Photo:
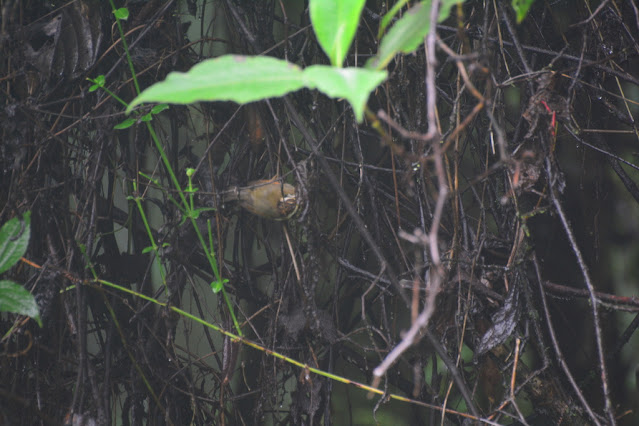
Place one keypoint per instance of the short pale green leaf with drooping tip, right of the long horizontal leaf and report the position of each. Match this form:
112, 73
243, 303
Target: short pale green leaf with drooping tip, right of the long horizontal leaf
353, 84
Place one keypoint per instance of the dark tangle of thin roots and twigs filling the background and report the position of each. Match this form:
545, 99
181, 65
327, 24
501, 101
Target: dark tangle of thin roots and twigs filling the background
558, 93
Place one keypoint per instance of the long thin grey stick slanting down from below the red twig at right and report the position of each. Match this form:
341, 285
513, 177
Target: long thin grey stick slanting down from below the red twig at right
594, 302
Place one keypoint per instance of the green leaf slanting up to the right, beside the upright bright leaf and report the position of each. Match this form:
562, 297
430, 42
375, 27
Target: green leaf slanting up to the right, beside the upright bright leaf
408, 33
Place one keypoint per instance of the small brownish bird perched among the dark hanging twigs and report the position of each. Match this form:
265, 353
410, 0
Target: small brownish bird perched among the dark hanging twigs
266, 198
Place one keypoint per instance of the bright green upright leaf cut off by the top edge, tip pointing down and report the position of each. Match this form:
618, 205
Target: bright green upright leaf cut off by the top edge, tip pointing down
335, 23
